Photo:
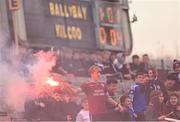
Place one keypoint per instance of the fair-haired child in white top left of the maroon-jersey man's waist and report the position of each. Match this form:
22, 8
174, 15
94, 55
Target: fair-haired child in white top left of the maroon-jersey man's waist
83, 115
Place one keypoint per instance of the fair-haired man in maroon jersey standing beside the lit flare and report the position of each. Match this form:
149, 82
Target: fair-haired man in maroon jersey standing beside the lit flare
96, 95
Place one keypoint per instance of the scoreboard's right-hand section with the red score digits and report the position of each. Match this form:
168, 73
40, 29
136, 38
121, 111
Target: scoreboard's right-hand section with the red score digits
109, 22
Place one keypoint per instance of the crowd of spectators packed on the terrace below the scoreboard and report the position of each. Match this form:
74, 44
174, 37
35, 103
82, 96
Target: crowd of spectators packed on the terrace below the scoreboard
148, 99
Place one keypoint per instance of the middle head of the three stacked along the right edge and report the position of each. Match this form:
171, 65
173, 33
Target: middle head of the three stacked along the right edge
170, 81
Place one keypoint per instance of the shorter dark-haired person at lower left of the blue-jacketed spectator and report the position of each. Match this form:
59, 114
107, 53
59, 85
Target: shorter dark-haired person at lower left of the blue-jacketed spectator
128, 113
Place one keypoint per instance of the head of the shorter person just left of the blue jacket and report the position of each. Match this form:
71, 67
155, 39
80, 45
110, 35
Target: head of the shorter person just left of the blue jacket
126, 101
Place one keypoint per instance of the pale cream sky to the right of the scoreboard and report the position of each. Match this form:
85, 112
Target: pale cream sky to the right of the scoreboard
157, 31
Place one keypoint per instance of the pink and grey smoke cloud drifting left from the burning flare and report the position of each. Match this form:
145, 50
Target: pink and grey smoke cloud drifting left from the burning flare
19, 72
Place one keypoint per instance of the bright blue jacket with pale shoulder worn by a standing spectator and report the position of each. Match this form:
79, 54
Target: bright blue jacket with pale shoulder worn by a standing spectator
137, 93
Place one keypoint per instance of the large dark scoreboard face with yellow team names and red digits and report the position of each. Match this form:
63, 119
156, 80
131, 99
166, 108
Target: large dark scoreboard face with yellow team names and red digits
88, 24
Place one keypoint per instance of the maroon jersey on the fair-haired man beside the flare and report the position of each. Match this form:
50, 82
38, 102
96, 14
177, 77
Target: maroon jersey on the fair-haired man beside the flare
96, 96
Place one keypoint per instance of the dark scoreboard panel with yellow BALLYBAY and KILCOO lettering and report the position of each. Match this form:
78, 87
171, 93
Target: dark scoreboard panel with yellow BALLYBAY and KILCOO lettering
60, 23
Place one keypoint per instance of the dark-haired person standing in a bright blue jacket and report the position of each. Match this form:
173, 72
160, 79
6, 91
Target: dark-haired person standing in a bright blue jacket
137, 93
